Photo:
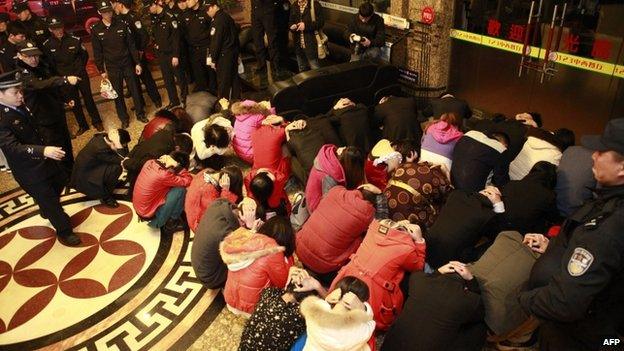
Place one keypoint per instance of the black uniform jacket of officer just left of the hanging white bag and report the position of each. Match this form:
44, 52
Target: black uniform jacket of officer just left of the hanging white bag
68, 55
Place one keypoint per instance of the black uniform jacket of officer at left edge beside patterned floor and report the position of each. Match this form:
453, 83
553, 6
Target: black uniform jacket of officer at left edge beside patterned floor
23, 147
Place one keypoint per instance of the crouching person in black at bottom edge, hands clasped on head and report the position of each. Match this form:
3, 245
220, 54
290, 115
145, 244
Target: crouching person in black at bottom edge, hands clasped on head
444, 311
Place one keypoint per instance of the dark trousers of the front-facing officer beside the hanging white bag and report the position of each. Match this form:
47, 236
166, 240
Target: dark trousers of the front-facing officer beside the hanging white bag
117, 75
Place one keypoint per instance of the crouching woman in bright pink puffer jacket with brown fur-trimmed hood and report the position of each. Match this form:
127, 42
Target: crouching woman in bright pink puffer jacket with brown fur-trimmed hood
249, 115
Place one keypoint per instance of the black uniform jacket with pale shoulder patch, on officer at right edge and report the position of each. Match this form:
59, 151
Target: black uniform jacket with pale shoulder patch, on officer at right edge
584, 270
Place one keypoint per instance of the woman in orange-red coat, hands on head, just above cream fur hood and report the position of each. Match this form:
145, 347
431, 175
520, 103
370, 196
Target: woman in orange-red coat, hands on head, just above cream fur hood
388, 251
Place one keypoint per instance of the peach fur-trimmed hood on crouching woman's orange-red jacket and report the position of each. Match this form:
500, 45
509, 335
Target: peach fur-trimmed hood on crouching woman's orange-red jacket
241, 248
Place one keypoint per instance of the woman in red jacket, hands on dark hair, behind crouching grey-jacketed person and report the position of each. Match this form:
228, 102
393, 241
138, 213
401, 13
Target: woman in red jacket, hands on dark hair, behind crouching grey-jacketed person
206, 187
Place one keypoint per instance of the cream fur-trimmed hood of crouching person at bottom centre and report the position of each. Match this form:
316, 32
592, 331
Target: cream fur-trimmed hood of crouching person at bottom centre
330, 330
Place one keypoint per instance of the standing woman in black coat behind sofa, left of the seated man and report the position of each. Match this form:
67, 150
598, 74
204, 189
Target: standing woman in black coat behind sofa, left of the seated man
303, 29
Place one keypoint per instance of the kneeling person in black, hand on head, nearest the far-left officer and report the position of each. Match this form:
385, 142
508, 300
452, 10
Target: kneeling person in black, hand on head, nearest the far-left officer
98, 165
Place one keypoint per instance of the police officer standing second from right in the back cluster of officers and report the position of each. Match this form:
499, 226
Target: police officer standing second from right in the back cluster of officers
196, 30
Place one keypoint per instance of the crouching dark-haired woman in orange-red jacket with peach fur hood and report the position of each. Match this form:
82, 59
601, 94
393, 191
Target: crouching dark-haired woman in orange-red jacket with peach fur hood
256, 261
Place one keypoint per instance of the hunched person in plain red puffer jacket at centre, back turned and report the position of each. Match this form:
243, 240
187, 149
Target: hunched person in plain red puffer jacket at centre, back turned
334, 231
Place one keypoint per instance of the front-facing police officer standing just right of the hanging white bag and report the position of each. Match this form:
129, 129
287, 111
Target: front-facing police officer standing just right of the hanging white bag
117, 58
